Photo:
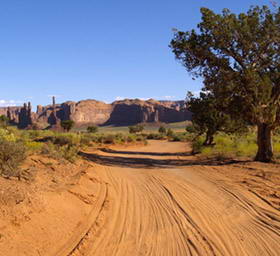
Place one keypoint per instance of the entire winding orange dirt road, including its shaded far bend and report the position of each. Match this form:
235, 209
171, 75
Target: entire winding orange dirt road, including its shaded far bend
157, 200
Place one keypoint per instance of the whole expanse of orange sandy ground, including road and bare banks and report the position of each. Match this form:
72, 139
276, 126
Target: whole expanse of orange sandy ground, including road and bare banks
143, 200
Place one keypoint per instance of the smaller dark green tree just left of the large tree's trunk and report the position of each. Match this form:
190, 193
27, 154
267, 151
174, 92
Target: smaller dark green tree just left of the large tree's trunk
209, 119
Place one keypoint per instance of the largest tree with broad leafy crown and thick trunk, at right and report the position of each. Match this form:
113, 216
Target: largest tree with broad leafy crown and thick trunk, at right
238, 57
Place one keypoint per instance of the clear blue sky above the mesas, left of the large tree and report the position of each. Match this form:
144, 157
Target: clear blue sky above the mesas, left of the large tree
102, 50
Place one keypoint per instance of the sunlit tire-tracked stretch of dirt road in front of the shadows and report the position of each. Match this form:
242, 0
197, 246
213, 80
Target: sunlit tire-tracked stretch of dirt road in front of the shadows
179, 212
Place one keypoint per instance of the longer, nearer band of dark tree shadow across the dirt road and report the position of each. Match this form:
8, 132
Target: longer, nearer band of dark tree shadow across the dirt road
149, 162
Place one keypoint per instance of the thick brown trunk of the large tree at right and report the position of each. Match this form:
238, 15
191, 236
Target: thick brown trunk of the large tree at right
265, 150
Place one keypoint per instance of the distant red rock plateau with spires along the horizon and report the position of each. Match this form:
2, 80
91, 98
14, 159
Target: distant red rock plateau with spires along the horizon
92, 112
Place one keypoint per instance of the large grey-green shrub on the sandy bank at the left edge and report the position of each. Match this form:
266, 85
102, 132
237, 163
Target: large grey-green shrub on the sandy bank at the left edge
12, 154
